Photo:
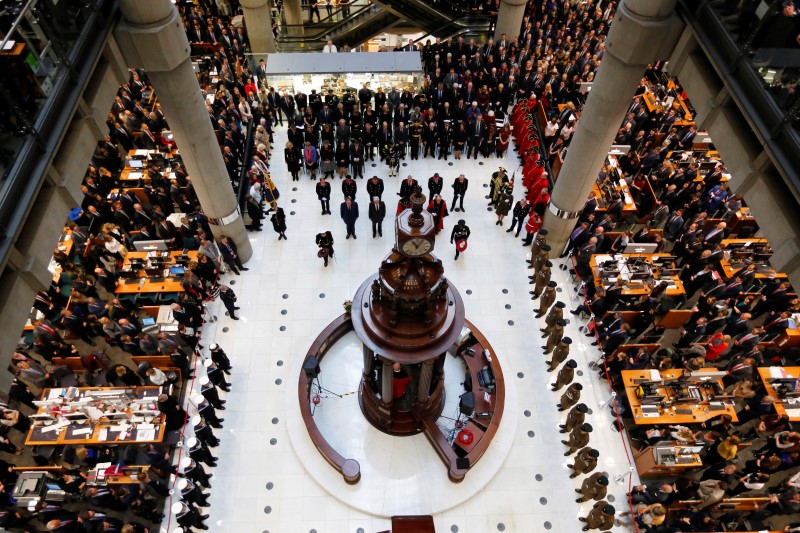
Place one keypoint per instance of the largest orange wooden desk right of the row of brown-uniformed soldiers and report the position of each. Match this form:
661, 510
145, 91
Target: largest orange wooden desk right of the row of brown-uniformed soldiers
669, 415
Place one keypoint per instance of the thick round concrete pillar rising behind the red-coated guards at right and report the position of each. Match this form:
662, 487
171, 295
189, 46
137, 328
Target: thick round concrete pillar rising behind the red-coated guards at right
643, 31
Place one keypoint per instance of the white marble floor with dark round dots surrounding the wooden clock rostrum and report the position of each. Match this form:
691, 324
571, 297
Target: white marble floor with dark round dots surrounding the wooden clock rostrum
287, 297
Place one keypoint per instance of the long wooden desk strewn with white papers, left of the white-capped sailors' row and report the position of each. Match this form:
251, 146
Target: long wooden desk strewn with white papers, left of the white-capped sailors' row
66, 435
